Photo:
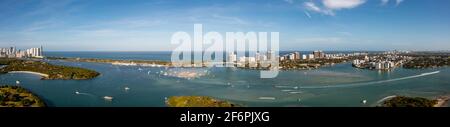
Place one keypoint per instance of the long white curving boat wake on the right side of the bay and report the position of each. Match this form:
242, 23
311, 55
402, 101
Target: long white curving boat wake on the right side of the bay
370, 83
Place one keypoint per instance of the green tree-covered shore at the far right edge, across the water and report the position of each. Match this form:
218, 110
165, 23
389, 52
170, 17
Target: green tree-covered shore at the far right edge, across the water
427, 62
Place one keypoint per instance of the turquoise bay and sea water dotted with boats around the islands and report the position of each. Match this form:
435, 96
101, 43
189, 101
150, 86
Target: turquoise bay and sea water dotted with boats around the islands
338, 85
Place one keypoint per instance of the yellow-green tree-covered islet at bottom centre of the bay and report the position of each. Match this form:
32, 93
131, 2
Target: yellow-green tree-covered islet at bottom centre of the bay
197, 101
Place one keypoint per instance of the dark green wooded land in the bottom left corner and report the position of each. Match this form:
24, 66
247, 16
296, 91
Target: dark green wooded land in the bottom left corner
16, 96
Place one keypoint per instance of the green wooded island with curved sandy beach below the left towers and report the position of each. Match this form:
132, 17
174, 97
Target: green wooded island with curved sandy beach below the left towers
46, 70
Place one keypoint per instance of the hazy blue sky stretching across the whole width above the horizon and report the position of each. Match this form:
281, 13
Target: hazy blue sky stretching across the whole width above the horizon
147, 25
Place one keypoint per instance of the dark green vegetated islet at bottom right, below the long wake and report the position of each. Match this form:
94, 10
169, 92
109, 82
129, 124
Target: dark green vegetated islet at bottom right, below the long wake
402, 101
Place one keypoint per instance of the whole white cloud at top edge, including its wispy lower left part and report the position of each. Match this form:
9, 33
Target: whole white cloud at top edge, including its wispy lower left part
329, 6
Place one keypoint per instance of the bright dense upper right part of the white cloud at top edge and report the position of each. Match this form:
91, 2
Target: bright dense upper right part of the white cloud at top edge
342, 4
